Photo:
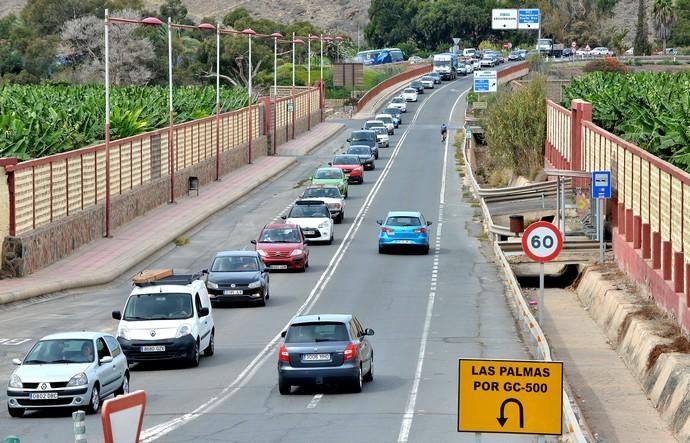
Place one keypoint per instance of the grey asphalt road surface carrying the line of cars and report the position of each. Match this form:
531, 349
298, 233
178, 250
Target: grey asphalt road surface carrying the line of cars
427, 311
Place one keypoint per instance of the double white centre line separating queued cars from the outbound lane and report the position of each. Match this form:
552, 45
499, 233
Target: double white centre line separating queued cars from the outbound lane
158, 431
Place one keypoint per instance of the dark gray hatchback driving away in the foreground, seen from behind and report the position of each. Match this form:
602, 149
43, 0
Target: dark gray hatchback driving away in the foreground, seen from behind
325, 349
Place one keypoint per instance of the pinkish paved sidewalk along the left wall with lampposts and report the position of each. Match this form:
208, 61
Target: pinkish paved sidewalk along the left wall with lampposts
103, 260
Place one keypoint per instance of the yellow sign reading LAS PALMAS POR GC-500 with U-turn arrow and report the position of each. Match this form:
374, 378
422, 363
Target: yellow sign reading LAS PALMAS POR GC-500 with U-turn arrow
510, 396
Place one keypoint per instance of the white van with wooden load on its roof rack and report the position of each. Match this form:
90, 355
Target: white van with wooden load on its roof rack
167, 316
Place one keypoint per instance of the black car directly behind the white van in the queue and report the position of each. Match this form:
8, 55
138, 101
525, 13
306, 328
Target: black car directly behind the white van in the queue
238, 276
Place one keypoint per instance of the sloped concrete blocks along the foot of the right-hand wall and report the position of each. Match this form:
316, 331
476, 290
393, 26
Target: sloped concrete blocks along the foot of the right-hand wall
667, 383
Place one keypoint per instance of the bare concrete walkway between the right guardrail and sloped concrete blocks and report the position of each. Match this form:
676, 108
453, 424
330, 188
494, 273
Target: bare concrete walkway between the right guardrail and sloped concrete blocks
609, 396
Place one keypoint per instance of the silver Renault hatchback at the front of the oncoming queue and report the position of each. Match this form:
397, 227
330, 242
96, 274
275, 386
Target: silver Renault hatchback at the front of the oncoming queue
70, 369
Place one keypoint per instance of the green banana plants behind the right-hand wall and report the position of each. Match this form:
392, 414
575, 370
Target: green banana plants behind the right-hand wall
651, 110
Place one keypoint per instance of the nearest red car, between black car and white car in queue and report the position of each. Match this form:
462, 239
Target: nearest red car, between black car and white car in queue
282, 246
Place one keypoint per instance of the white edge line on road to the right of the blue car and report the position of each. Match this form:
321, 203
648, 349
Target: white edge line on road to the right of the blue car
408, 417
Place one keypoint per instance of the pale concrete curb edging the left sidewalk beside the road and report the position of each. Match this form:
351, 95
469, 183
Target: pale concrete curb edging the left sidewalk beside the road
121, 266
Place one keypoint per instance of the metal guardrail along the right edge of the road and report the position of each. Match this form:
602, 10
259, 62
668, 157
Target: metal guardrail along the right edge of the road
543, 350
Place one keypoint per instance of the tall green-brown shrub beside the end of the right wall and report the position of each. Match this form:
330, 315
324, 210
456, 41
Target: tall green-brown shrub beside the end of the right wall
515, 125
